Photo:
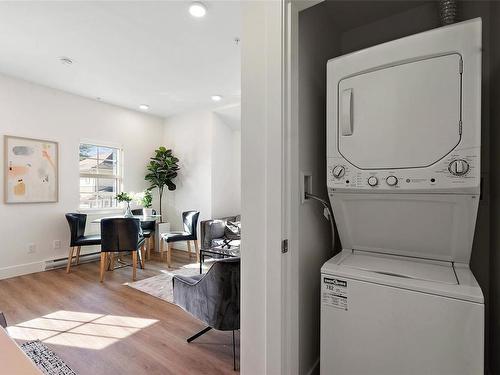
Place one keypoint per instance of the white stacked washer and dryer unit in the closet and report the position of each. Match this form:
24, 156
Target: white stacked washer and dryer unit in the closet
403, 143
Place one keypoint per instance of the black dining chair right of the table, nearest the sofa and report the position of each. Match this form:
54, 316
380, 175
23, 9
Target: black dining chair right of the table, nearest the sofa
190, 222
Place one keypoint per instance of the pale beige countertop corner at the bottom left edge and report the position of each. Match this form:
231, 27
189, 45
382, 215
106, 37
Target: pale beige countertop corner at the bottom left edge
12, 358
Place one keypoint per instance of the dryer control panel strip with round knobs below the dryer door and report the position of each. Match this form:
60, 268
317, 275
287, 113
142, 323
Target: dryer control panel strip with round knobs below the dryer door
460, 169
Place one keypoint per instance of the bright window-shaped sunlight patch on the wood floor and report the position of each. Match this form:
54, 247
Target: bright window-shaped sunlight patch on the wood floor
79, 329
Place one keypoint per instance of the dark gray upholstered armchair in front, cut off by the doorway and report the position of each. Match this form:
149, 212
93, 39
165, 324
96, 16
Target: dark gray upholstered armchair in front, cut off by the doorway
213, 298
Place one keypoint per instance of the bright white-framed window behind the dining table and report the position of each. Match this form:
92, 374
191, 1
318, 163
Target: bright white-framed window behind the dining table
100, 176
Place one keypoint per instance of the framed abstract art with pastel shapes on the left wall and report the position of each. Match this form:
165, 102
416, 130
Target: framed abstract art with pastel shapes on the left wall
31, 170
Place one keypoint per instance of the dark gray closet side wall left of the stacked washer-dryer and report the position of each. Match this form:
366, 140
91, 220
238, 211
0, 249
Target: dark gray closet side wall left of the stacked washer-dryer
314, 231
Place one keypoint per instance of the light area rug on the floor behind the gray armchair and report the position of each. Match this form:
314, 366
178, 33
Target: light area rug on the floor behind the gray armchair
160, 286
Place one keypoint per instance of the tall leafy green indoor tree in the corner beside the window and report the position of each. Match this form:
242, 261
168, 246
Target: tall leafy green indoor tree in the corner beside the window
162, 170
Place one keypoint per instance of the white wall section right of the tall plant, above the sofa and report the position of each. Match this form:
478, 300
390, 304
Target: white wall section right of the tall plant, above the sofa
209, 176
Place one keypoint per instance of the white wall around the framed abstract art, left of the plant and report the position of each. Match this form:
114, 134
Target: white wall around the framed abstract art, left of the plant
35, 111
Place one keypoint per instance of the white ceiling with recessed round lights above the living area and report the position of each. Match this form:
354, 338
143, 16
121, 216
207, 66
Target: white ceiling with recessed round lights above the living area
126, 52
